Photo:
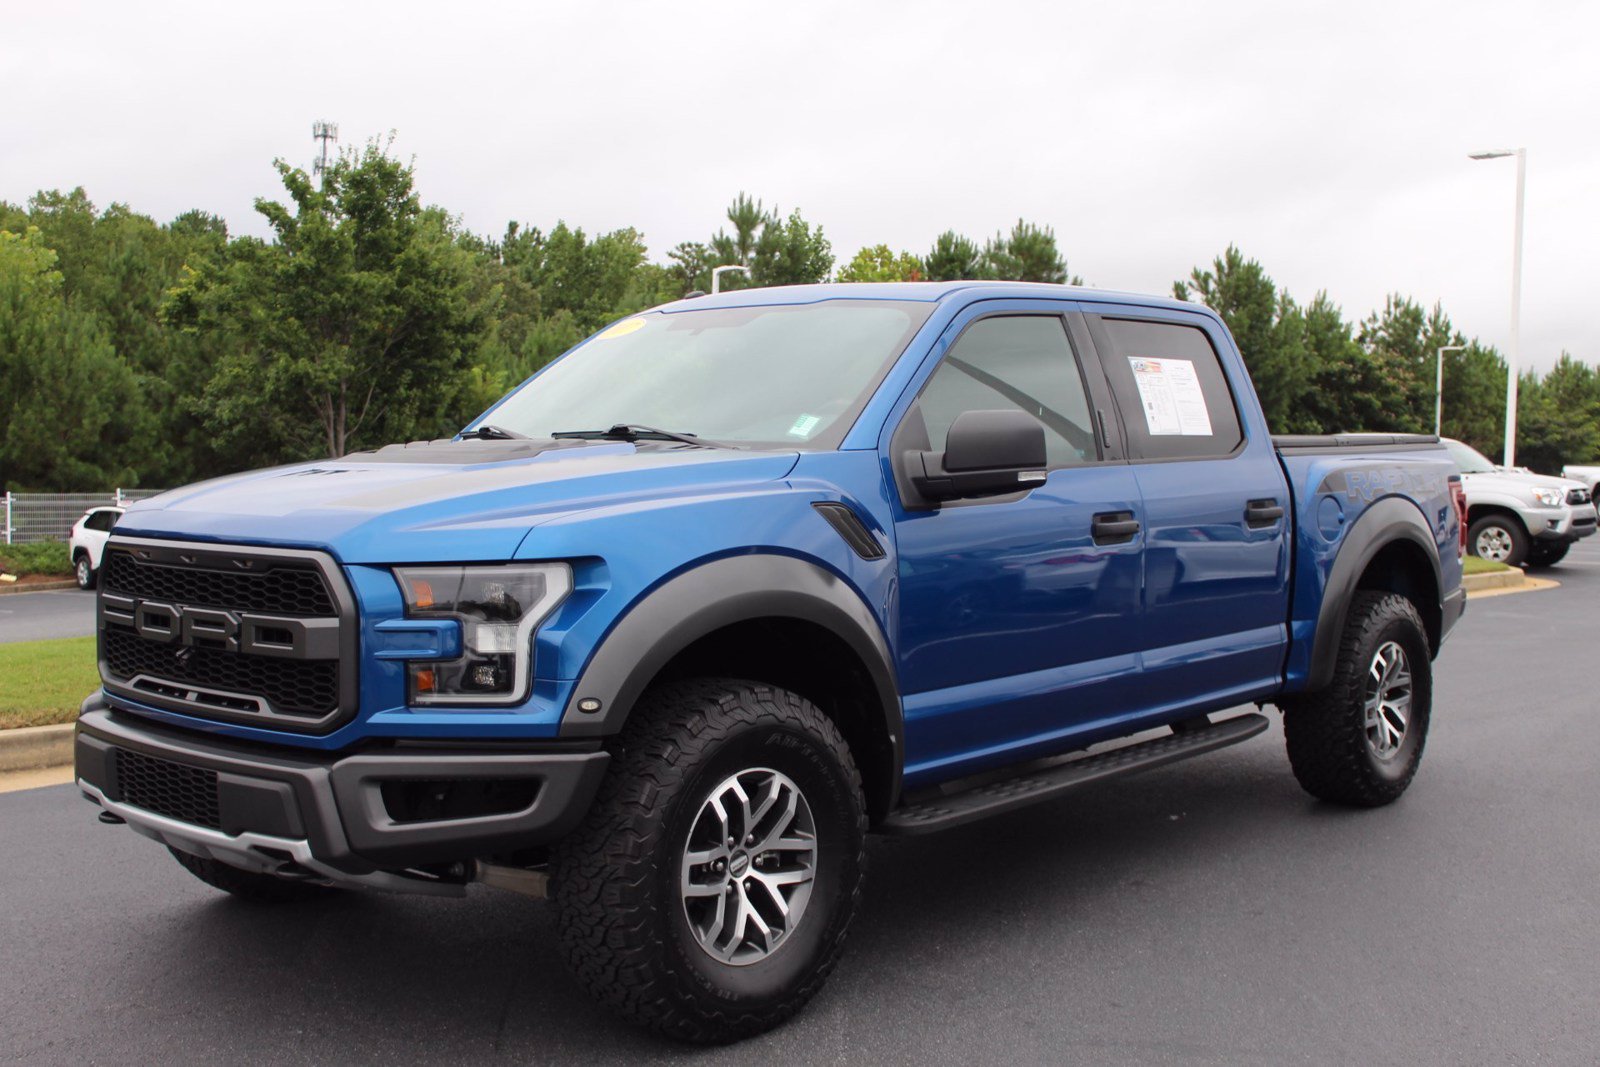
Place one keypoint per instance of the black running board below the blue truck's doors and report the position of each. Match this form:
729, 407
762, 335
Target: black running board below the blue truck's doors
1010, 794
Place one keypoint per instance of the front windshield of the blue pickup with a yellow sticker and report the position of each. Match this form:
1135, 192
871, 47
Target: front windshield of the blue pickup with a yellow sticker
791, 377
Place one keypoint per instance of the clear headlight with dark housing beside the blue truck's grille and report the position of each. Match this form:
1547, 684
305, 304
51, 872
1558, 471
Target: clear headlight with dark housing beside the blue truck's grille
498, 609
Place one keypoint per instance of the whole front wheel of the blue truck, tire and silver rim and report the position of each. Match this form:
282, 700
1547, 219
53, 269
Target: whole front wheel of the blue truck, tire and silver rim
710, 889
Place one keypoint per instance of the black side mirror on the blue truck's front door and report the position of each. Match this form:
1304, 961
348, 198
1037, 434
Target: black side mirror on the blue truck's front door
986, 454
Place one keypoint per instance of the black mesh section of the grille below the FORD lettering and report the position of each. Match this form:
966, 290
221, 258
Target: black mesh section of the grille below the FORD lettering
292, 687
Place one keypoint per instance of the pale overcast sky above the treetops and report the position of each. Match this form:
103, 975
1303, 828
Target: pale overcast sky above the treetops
1327, 140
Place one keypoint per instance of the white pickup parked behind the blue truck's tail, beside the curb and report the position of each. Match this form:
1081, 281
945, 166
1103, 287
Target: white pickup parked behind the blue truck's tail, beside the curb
1518, 518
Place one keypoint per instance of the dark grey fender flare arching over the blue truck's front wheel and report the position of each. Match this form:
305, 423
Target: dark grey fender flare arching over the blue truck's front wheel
718, 594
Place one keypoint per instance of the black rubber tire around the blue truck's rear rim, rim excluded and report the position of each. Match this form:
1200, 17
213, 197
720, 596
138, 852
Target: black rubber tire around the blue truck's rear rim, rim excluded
1326, 732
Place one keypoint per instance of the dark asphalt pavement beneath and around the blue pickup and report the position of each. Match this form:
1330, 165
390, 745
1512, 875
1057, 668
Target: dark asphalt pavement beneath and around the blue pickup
1209, 913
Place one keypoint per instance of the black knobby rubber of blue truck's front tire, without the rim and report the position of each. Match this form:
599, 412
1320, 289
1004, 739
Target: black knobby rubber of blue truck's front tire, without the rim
617, 879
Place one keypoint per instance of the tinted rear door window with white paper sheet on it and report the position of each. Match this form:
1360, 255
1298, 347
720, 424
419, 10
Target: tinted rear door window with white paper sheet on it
1172, 391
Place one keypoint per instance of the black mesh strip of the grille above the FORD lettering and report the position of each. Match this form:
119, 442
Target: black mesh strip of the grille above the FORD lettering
274, 589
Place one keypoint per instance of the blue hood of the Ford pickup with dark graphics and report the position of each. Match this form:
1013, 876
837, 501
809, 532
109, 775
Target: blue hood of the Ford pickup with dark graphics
441, 502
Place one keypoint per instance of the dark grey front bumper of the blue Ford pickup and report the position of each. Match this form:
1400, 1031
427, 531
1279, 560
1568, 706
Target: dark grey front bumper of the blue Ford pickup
330, 818
